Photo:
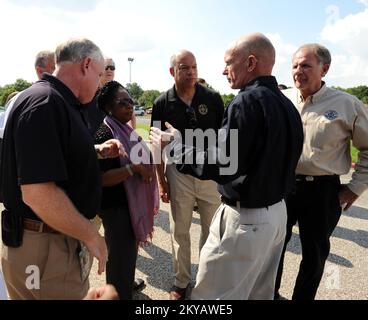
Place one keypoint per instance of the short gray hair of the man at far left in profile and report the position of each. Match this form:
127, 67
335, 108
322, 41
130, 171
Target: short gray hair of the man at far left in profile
76, 50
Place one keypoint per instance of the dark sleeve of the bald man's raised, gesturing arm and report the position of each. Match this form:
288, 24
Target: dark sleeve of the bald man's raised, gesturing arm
237, 149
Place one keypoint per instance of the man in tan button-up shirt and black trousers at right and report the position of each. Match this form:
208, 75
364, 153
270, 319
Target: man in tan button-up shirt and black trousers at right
331, 119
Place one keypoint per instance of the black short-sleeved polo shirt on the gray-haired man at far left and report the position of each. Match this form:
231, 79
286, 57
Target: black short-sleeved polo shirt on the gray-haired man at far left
46, 140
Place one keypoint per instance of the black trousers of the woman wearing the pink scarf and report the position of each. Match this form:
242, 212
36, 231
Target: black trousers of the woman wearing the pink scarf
122, 248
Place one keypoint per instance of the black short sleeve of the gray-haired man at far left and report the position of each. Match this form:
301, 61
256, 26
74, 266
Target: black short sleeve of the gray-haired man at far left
40, 138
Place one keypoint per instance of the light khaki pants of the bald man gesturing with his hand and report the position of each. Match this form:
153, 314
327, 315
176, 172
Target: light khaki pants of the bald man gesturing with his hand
240, 258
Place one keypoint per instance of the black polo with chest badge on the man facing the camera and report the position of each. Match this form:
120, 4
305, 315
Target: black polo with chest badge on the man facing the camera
207, 106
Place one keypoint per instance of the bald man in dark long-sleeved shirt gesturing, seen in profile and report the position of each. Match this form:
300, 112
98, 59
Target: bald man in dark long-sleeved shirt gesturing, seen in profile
240, 258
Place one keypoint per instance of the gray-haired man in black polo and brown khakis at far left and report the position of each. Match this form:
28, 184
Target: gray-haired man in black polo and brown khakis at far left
50, 181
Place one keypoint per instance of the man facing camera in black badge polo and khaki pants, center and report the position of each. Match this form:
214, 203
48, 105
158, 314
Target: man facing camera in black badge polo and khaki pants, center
188, 106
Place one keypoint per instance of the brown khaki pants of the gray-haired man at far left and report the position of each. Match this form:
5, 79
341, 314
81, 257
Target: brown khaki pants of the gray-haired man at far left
55, 257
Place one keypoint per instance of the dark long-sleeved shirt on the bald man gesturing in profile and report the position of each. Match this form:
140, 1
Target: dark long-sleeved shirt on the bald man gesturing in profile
269, 144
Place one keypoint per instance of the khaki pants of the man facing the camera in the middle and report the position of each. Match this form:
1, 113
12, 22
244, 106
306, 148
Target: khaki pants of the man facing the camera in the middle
185, 190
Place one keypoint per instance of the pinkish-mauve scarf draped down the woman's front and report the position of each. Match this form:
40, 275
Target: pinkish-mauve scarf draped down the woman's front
143, 198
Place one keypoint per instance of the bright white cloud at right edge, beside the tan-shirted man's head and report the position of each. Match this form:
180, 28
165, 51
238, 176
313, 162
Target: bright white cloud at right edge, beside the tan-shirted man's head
347, 37
